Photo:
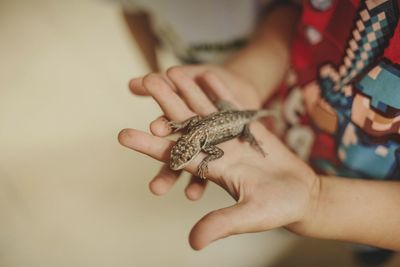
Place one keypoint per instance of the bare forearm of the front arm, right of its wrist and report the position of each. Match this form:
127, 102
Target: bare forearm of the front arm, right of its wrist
360, 211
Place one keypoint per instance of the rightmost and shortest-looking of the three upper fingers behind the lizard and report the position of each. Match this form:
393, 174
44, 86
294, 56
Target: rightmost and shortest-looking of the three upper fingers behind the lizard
215, 86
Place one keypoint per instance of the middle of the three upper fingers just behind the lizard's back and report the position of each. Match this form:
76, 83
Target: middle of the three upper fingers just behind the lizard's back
190, 91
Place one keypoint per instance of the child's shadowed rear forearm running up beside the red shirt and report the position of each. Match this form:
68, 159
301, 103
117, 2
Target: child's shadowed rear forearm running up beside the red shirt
265, 60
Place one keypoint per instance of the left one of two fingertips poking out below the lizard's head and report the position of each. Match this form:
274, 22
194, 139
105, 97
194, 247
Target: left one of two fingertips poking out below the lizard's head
164, 180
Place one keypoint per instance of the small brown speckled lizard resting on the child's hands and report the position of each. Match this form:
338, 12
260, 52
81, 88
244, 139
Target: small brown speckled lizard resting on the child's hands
204, 133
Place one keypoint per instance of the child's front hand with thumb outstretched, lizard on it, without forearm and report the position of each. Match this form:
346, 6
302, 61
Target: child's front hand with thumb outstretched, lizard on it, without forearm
278, 190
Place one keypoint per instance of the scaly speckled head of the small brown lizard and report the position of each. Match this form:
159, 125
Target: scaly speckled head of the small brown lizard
182, 153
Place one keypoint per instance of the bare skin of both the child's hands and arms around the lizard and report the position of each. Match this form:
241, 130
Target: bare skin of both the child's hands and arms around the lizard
270, 193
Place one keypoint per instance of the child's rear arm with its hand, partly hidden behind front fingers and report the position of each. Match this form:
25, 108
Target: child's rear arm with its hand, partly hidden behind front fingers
256, 71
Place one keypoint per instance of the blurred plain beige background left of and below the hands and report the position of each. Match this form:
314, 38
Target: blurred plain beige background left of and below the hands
70, 195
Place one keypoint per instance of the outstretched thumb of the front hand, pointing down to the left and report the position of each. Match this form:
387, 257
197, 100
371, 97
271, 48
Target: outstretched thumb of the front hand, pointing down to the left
221, 223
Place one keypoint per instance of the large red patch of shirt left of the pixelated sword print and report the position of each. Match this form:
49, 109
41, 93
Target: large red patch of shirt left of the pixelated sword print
306, 57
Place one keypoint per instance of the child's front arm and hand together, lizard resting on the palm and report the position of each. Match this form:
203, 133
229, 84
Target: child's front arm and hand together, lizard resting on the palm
279, 190
